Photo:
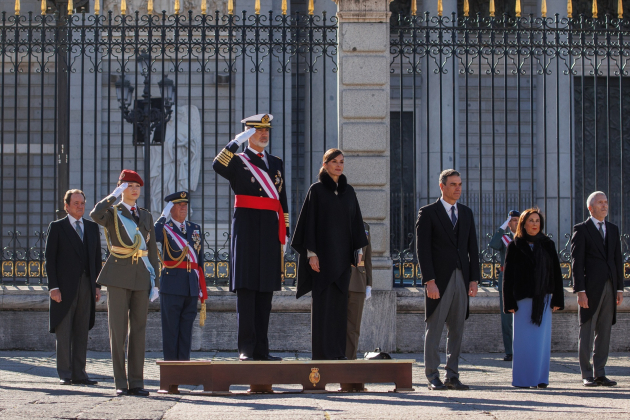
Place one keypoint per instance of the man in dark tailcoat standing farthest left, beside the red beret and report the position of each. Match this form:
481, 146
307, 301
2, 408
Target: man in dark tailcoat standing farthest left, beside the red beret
73, 262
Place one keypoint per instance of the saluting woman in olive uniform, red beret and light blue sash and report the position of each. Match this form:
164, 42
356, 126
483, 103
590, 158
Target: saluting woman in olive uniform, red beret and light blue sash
130, 277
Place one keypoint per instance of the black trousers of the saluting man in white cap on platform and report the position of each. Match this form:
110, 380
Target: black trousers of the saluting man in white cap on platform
252, 312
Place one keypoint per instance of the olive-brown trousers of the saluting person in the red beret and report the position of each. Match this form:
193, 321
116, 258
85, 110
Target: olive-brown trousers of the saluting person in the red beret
127, 315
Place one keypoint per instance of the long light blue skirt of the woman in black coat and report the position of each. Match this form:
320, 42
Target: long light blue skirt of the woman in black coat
532, 346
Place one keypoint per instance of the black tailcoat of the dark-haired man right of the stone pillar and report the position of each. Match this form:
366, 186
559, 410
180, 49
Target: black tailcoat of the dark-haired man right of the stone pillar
438, 248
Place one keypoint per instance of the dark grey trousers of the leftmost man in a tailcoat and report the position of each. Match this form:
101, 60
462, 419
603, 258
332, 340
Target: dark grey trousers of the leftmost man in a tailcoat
72, 333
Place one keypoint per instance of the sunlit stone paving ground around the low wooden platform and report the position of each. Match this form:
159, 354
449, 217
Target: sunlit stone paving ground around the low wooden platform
29, 390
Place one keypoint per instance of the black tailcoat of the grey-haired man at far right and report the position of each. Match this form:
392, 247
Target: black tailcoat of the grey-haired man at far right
593, 265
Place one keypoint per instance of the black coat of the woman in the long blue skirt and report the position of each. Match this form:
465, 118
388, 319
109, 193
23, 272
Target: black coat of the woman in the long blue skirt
519, 274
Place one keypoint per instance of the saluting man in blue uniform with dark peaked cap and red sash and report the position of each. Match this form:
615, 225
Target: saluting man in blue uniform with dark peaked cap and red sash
182, 280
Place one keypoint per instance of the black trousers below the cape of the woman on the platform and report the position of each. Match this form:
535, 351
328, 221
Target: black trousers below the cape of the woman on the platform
329, 313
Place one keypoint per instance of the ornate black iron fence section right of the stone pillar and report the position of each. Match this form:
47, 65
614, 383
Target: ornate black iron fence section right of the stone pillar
529, 109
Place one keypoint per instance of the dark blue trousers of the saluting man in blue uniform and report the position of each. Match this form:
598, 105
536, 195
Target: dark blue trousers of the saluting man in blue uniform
178, 316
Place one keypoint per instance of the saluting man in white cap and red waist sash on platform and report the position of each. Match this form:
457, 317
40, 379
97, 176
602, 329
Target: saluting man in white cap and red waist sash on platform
259, 229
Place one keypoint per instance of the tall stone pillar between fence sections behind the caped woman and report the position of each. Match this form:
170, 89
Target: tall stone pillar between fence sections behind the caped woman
363, 116
